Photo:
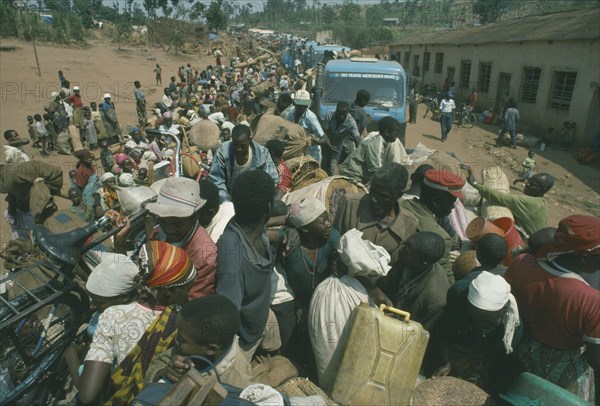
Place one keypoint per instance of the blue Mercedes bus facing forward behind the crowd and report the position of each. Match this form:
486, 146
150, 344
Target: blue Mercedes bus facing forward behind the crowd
341, 79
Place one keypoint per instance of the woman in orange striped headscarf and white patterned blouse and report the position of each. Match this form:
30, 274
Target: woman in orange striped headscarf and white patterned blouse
128, 336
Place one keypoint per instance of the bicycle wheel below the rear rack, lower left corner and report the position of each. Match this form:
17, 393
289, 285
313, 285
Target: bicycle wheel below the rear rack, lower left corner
31, 346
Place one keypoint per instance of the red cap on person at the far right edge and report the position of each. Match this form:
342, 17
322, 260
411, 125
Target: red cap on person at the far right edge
577, 234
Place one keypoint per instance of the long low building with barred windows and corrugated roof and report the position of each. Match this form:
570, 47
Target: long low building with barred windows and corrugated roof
549, 64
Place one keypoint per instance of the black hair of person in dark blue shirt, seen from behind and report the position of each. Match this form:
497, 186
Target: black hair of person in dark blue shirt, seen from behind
252, 195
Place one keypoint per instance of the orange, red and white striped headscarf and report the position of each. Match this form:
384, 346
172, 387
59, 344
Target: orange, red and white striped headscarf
164, 265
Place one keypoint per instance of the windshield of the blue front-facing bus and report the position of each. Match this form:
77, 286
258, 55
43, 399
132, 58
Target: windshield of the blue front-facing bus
386, 89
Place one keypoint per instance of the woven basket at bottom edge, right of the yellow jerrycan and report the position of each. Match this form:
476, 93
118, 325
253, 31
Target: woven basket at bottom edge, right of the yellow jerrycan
449, 391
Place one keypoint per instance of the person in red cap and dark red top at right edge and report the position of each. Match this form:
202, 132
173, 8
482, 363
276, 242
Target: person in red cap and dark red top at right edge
561, 309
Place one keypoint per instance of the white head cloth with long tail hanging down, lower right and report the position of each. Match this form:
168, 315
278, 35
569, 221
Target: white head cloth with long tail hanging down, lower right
491, 292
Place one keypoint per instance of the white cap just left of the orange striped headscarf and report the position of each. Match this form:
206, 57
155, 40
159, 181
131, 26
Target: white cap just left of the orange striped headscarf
114, 276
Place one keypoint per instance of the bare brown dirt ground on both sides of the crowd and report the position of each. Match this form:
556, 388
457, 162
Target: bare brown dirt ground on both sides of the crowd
102, 68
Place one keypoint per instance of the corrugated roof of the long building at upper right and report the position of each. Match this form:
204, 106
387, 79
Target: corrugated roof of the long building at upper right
571, 25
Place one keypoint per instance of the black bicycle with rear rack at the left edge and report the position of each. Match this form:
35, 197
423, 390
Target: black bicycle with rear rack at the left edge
37, 325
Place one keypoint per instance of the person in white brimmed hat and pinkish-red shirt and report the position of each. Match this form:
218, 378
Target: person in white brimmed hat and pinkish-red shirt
178, 211
